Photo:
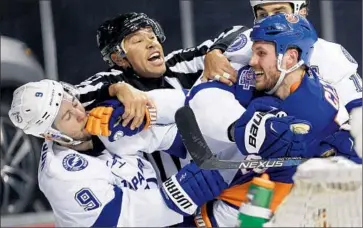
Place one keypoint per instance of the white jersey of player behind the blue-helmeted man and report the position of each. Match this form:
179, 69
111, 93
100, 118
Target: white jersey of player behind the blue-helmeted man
330, 60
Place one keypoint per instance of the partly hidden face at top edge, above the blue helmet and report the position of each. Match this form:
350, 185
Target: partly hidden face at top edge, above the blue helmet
269, 9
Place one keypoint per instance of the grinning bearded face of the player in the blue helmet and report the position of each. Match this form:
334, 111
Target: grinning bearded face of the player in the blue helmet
264, 63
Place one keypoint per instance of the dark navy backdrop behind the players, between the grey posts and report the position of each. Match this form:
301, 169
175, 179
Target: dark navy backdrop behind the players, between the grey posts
75, 23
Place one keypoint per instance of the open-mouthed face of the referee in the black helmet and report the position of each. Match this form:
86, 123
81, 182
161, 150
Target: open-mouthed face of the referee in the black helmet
145, 53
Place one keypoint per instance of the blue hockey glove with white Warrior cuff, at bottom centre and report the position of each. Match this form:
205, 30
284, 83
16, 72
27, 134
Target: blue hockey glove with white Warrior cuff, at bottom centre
190, 188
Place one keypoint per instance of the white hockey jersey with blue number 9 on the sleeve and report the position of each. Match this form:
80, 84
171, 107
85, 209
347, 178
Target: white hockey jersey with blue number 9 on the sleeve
118, 188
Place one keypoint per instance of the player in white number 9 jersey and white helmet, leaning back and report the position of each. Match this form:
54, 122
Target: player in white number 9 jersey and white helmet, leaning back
117, 189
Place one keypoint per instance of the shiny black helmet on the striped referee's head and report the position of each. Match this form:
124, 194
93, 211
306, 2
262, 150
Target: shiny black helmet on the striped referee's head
111, 32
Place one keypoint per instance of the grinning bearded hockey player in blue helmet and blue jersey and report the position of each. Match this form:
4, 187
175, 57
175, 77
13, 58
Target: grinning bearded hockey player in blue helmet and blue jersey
280, 59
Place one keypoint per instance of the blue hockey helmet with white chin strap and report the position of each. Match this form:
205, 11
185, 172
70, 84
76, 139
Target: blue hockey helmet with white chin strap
286, 31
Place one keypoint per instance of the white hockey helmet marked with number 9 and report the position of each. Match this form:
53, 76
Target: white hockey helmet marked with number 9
34, 108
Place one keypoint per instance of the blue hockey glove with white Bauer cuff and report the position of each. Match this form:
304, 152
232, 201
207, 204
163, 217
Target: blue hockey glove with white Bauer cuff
260, 132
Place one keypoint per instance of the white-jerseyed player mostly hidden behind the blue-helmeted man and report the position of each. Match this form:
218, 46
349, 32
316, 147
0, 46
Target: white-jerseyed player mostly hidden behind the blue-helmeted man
344, 79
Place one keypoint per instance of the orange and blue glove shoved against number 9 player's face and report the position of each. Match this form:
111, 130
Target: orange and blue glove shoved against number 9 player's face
105, 120
